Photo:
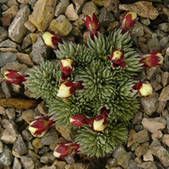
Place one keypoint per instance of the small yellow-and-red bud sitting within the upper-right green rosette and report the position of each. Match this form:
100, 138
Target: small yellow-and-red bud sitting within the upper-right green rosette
117, 57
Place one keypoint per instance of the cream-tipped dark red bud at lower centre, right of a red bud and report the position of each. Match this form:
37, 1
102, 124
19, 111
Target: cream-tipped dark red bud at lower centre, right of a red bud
100, 122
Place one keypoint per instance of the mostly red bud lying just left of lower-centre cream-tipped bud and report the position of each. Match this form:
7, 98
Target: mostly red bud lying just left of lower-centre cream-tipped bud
78, 120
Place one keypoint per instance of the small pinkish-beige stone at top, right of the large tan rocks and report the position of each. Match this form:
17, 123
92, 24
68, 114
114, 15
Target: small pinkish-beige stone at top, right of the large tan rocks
71, 13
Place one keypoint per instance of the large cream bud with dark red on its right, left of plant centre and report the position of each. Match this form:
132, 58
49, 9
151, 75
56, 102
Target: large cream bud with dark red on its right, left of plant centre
66, 89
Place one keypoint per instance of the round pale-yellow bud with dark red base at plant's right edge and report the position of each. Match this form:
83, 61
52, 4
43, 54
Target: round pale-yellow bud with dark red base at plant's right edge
144, 88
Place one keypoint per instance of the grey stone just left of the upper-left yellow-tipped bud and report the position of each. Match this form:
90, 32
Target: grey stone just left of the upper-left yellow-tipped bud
39, 51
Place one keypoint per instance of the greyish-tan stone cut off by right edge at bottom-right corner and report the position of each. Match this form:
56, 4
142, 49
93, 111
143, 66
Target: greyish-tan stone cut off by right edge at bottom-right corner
162, 154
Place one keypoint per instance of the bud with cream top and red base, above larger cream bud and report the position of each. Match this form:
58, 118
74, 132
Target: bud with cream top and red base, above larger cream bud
66, 66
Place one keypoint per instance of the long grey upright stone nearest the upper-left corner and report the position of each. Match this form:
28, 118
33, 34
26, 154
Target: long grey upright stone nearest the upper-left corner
17, 29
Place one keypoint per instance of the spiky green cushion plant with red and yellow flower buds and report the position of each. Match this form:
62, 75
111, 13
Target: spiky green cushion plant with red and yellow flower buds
91, 88
